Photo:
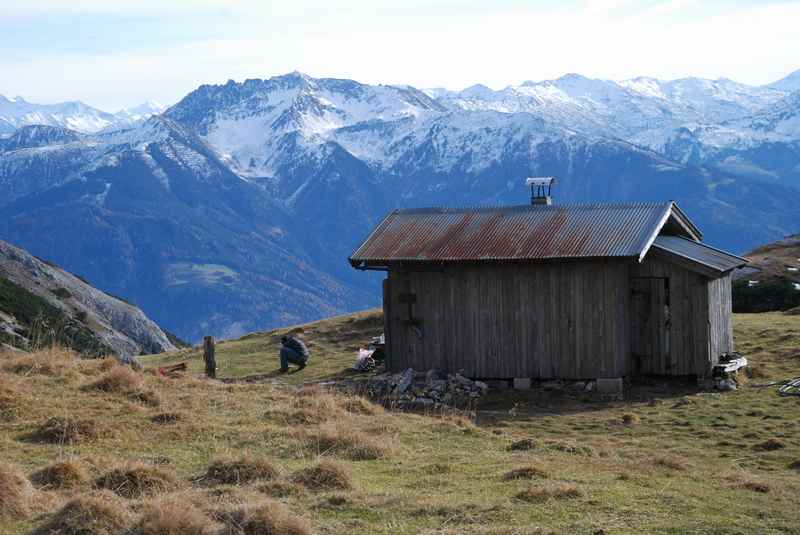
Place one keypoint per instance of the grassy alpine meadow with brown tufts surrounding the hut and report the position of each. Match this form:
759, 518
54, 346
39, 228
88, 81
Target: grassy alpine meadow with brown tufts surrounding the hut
204, 455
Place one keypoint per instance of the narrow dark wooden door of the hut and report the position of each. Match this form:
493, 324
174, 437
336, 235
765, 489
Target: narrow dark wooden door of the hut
650, 326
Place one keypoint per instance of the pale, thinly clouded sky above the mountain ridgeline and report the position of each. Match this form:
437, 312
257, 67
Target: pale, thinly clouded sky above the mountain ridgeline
112, 53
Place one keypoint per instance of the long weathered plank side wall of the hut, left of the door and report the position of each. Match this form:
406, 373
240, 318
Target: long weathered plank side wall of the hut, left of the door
545, 320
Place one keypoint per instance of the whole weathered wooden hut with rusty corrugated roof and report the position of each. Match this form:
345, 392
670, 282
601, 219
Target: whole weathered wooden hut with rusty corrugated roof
551, 292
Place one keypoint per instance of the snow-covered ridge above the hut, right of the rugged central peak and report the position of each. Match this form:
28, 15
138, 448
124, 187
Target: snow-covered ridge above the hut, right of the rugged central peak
641, 110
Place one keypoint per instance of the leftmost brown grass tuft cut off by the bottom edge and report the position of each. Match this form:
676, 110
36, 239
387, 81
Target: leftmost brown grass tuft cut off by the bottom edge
95, 514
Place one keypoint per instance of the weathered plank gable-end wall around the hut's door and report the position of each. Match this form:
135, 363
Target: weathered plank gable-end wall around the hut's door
689, 326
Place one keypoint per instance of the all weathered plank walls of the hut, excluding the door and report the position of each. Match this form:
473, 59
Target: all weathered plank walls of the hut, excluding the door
547, 320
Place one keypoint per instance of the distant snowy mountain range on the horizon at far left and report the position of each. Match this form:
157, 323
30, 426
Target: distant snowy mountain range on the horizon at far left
75, 115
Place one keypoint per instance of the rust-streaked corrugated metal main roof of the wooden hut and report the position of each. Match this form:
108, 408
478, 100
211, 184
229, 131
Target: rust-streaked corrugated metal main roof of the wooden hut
515, 233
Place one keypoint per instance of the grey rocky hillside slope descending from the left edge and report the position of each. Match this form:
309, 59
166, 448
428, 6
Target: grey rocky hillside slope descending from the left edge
41, 303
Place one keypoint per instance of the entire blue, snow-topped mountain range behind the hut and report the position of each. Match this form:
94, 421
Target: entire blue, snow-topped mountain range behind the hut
235, 209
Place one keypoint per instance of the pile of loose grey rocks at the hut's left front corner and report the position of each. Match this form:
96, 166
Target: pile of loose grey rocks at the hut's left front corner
432, 388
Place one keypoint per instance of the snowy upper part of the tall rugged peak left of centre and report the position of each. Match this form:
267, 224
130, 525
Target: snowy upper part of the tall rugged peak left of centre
251, 123
